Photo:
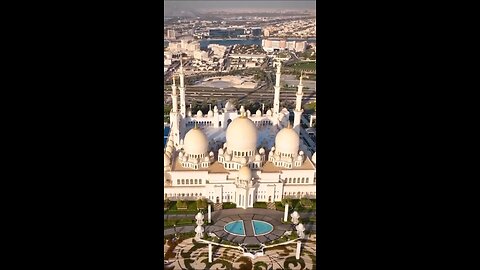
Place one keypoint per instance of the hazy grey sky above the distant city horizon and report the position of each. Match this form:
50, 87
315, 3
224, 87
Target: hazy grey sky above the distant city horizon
178, 5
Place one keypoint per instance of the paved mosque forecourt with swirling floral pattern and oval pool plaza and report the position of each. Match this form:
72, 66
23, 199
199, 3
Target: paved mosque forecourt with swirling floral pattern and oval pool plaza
189, 253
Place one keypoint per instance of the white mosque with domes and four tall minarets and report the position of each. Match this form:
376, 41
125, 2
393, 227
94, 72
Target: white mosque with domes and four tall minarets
236, 156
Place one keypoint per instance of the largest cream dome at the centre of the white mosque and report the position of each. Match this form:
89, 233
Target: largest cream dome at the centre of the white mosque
242, 135
